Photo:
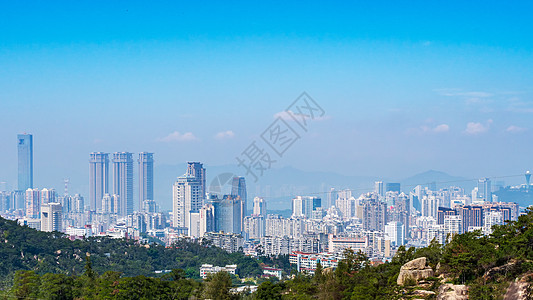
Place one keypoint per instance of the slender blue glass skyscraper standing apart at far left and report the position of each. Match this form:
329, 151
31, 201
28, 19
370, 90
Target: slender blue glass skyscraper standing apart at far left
25, 161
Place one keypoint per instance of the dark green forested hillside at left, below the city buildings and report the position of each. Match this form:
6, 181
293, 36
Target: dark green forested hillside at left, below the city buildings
23, 248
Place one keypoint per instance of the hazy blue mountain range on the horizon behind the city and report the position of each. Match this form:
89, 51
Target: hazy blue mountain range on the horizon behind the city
279, 186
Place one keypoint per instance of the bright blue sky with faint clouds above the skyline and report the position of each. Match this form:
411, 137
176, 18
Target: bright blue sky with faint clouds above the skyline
406, 87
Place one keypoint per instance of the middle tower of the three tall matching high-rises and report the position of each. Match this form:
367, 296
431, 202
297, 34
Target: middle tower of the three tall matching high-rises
123, 180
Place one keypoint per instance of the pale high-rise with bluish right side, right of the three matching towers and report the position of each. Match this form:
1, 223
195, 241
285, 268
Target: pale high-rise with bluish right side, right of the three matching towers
187, 197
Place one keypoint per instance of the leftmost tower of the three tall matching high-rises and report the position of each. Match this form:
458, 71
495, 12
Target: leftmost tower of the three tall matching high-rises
98, 179
